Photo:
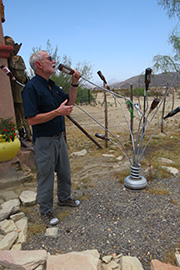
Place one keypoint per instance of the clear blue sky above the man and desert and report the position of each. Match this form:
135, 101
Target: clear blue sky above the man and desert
118, 37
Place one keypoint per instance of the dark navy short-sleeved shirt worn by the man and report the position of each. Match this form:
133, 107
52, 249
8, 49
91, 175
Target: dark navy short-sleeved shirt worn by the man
38, 98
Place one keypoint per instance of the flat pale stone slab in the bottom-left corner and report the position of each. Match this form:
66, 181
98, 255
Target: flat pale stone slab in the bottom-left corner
29, 259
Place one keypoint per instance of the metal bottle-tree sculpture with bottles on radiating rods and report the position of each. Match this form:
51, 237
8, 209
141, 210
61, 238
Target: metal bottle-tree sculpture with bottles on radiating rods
134, 180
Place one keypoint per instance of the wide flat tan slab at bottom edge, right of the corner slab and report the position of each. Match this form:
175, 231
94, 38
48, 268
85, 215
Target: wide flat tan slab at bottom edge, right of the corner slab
88, 260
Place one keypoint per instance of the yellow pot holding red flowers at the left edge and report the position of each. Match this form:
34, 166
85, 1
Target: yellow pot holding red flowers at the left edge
8, 150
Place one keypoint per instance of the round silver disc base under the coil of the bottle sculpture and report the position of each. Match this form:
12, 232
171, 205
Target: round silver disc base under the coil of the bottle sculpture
136, 184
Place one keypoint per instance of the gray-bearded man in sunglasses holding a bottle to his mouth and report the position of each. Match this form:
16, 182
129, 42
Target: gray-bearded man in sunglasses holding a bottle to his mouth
45, 104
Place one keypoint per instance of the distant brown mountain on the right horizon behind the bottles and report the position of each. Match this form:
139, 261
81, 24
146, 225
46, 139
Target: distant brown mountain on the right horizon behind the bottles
157, 80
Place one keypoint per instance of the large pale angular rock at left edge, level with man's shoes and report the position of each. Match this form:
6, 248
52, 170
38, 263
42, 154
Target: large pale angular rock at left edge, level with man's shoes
8, 208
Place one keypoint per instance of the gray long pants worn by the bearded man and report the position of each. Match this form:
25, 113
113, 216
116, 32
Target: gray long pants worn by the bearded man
51, 156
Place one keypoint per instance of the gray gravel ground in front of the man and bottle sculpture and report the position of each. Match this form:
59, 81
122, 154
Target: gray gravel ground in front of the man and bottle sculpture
113, 219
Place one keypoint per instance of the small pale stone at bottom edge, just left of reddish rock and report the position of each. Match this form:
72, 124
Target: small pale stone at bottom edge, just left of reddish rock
130, 263
